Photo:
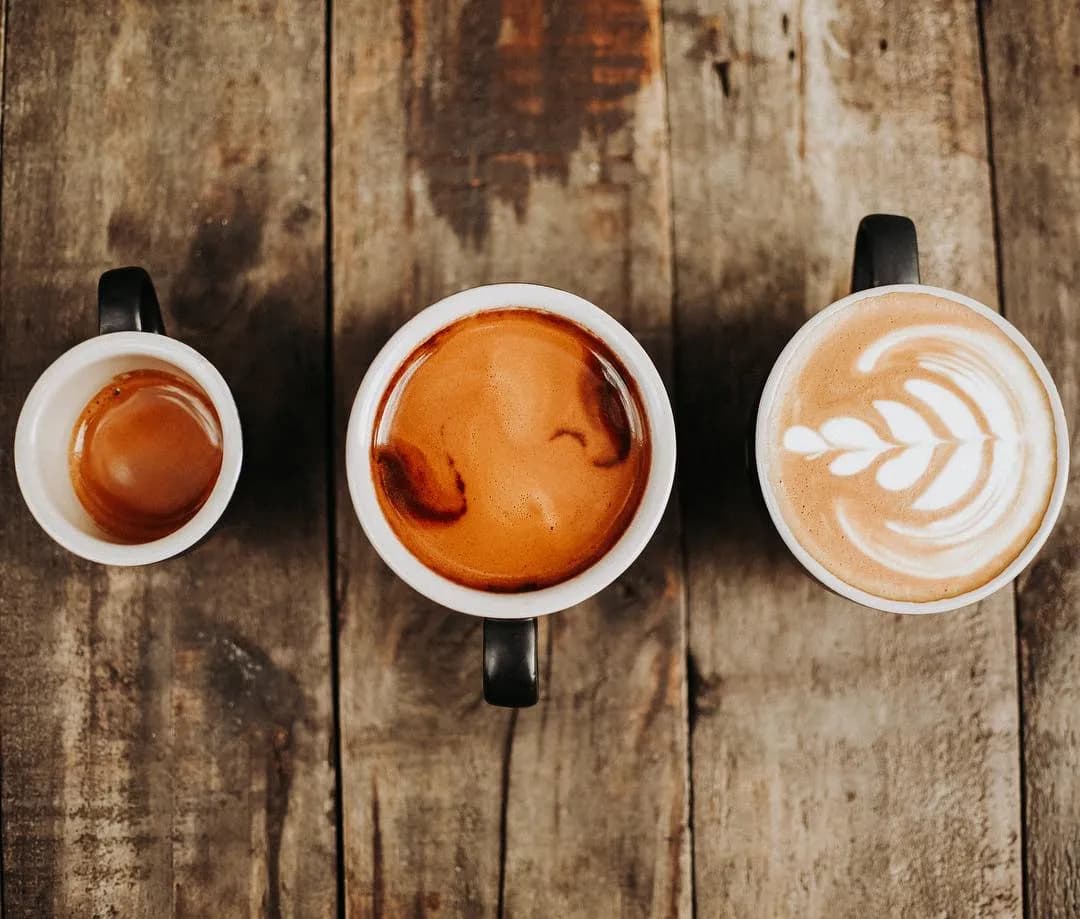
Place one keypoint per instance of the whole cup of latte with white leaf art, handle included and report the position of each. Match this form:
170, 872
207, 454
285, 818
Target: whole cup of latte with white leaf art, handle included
911, 445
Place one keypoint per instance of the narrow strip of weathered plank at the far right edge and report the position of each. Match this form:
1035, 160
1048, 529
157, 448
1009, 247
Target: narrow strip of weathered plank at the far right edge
1033, 61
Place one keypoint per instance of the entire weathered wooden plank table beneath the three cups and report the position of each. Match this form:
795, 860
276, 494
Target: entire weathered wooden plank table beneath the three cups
275, 725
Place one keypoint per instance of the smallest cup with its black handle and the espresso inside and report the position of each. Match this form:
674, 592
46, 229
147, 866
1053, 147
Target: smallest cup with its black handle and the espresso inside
130, 359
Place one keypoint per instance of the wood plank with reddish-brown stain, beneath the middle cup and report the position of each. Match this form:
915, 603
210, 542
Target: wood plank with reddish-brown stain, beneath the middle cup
479, 142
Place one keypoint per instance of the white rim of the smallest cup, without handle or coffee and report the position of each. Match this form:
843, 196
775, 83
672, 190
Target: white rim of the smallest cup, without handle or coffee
30, 476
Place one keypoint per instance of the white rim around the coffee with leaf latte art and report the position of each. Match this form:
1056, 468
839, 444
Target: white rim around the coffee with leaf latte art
819, 571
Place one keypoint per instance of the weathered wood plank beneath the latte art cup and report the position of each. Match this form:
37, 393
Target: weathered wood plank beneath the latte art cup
846, 763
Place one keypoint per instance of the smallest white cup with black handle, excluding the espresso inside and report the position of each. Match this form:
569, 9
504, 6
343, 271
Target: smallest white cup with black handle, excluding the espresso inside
132, 337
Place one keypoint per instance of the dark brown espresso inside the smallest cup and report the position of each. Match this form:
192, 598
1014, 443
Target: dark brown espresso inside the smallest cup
146, 453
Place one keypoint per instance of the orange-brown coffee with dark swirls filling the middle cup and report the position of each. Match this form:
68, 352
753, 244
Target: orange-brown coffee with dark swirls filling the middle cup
510, 451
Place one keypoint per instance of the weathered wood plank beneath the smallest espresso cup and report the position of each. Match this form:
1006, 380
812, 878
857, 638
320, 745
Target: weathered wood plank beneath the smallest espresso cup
168, 732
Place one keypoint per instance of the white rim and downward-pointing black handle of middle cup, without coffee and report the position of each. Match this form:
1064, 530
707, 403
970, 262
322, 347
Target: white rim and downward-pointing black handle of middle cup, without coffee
510, 627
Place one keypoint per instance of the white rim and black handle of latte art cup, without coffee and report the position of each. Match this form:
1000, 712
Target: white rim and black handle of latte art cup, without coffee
887, 261
